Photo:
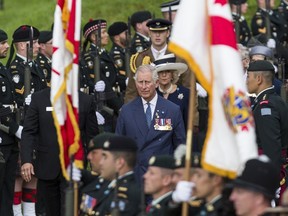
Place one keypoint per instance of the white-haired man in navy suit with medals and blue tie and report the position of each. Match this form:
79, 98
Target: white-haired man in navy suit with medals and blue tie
154, 122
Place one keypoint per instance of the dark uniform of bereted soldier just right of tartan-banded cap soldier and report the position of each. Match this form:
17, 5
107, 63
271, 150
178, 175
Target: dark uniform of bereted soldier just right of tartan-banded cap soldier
118, 55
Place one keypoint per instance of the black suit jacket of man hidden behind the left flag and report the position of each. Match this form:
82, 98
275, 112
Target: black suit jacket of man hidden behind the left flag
39, 124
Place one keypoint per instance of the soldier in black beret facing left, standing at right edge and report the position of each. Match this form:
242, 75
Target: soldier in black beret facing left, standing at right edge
271, 115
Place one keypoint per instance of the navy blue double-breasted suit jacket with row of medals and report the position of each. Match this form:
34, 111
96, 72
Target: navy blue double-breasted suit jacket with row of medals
132, 123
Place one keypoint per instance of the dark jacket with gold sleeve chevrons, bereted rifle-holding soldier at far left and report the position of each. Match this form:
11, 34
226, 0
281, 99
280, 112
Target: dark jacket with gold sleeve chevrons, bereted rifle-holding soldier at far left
17, 69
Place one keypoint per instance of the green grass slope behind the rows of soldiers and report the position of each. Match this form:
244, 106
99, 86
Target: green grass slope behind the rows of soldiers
39, 13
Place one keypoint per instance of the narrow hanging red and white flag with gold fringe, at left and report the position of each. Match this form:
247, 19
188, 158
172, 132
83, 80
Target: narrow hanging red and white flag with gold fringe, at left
64, 81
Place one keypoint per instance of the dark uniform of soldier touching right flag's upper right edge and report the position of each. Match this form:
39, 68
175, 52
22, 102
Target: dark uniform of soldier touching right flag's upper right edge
244, 31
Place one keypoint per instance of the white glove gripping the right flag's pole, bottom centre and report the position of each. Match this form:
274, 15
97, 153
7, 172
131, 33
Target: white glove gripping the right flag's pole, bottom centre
183, 191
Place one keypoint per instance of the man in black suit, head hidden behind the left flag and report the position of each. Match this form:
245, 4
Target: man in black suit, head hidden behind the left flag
39, 131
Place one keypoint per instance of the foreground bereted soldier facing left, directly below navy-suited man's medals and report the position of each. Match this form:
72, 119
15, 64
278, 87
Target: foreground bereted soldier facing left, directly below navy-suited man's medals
158, 183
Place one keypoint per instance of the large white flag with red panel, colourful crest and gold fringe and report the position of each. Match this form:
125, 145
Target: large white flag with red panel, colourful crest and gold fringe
204, 36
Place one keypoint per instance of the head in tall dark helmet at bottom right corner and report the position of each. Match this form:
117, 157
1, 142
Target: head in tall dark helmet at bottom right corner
255, 188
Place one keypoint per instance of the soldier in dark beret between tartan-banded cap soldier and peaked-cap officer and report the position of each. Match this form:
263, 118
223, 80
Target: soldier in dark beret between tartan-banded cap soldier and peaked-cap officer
118, 34
